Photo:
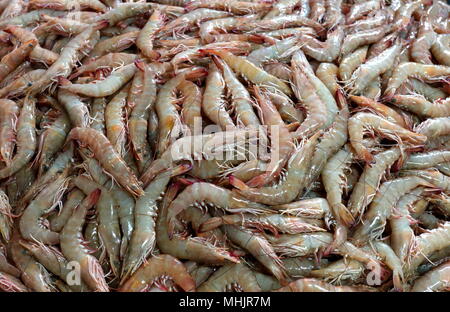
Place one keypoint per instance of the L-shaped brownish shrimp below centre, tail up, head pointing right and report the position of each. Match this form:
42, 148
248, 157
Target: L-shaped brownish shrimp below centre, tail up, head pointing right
196, 249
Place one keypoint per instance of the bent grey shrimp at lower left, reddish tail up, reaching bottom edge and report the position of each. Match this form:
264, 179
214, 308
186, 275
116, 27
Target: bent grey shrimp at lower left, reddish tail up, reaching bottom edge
74, 250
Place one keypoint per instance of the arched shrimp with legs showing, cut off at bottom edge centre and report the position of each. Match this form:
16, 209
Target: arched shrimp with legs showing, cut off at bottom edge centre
232, 276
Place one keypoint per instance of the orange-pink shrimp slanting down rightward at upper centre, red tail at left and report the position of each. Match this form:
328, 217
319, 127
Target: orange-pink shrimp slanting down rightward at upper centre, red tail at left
250, 71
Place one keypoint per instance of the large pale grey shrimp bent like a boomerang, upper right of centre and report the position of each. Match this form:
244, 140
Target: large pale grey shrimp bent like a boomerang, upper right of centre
319, 103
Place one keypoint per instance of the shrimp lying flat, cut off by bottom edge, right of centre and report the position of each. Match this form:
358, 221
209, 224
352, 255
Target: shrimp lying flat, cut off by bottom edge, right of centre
315, 285
